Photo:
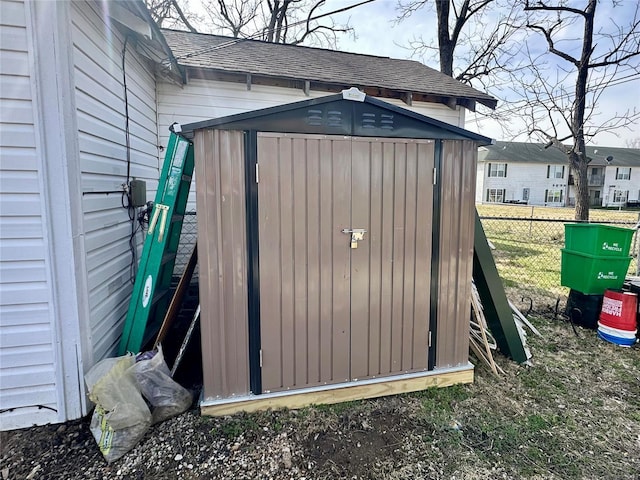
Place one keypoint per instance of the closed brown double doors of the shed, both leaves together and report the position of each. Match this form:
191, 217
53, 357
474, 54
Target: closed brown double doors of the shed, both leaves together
330, 313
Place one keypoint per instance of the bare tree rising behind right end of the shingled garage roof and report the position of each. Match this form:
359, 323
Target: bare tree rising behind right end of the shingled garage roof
478, 42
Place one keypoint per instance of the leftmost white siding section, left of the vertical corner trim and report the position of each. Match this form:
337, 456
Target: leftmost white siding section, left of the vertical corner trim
27, 356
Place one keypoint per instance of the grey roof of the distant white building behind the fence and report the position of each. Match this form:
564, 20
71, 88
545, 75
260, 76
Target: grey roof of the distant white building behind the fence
520, 152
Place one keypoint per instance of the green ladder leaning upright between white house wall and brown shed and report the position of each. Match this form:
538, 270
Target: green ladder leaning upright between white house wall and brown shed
153, 281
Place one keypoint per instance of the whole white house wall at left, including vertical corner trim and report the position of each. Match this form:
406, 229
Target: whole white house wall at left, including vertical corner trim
64, 269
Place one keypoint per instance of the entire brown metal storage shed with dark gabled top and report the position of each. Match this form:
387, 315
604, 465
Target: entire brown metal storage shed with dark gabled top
335, 248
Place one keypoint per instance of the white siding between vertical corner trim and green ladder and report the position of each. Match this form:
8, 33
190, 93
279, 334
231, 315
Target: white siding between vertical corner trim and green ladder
99, 97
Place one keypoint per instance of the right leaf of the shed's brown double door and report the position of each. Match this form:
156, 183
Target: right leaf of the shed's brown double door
392, 197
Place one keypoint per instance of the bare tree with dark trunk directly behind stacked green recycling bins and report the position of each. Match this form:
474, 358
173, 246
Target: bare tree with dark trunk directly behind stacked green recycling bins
564, 107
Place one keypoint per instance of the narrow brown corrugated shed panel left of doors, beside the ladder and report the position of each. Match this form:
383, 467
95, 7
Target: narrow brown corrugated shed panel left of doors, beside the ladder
219, 159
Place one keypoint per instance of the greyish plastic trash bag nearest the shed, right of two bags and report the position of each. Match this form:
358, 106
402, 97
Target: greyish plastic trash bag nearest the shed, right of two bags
167, 397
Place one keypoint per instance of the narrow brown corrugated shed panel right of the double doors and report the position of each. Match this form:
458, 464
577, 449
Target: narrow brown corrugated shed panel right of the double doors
456, 252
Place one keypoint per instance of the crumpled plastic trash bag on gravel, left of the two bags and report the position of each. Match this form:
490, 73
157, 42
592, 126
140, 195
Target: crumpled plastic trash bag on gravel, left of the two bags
121, 416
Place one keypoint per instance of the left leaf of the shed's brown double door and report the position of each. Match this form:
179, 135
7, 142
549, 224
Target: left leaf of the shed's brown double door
304, 193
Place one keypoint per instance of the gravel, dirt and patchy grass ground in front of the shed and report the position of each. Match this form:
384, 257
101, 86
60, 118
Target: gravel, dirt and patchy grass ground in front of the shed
573, 414
